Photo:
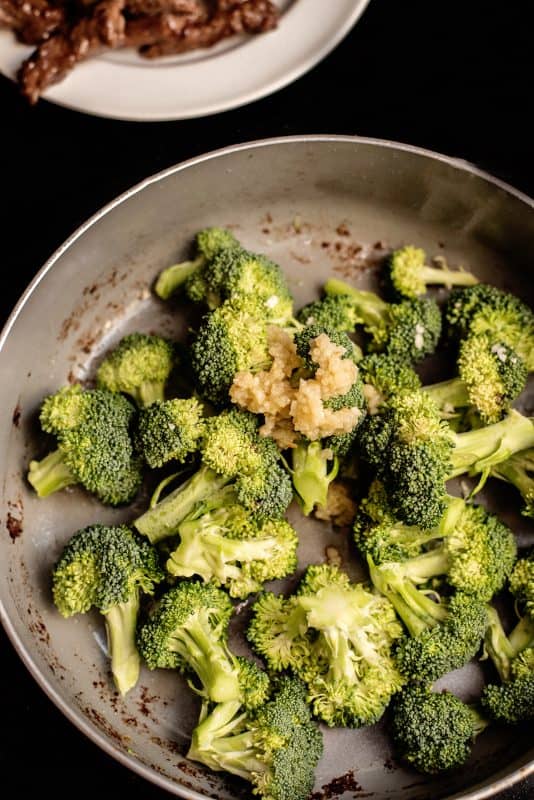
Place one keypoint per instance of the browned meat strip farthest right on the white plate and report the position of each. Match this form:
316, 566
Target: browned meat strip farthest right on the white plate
248, 16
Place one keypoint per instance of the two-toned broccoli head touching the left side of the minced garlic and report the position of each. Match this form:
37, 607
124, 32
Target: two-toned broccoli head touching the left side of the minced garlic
230, 339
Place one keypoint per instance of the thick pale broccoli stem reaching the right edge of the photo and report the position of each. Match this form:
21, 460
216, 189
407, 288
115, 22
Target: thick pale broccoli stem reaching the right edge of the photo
479, 449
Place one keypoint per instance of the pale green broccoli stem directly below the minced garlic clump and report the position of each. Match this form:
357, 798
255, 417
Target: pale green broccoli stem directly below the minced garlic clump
310, 474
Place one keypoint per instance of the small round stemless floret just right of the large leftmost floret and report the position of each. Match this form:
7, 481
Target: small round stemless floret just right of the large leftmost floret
170, 430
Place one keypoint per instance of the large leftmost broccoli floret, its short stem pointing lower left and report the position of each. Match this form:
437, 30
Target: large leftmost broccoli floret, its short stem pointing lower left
94, 445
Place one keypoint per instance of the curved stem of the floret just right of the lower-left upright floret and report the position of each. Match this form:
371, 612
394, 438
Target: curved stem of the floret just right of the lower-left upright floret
209, 658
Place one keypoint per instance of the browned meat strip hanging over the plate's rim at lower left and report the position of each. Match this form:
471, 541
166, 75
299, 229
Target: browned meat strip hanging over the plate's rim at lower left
103, 27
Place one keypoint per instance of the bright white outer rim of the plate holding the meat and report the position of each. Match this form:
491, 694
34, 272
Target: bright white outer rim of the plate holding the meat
266, 89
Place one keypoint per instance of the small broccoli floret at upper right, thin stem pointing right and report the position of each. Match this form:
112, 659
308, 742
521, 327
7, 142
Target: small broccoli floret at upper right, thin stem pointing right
408, 275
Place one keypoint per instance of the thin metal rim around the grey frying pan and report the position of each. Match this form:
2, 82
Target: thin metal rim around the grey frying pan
74, 715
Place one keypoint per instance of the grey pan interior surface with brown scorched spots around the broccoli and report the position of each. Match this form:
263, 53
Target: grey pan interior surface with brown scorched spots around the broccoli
320, 206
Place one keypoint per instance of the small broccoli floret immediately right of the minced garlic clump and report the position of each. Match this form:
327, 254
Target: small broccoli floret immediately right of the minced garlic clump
385, 376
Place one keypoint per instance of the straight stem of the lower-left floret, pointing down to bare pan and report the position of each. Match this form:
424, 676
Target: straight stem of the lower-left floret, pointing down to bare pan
121, 623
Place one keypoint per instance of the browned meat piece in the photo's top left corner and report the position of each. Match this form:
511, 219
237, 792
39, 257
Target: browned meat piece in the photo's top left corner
32, 20
